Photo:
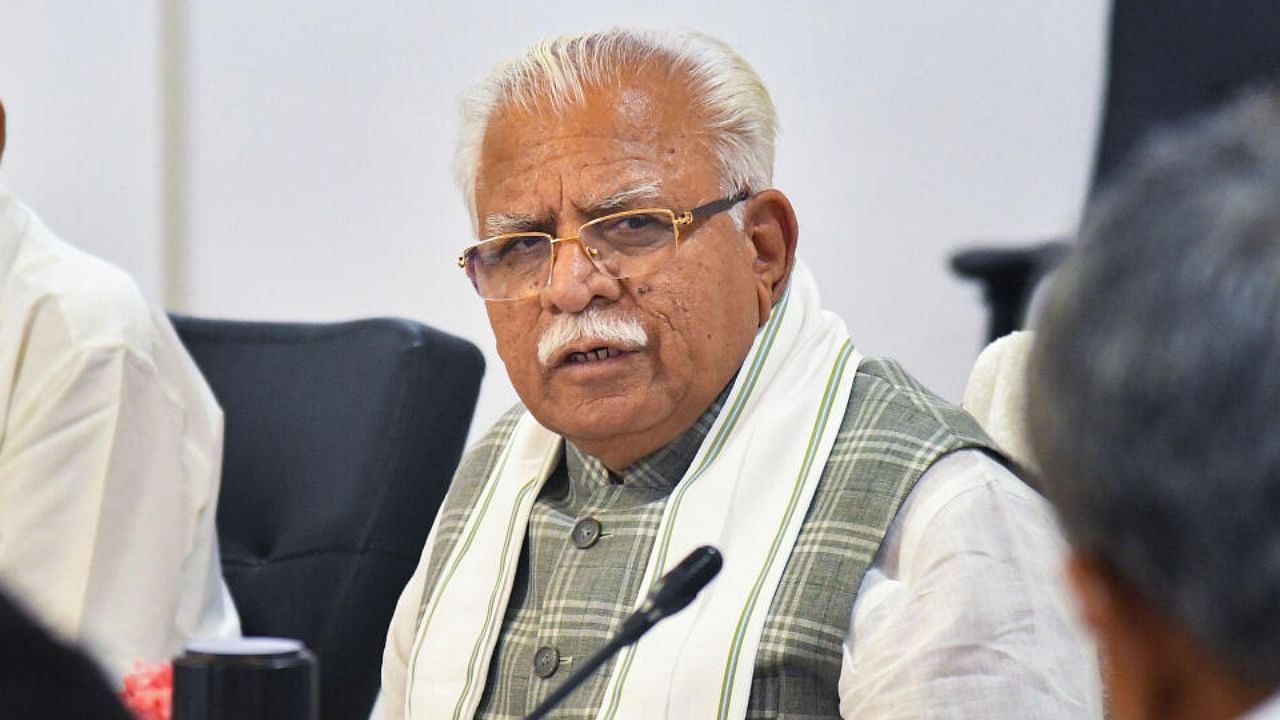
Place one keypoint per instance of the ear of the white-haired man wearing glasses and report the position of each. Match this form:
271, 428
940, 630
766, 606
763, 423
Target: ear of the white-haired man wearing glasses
770, 224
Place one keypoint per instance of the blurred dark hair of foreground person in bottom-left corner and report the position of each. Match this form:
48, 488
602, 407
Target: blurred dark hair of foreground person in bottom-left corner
45, 680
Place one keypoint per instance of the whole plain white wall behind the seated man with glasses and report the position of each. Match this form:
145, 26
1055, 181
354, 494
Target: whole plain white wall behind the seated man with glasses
319, 147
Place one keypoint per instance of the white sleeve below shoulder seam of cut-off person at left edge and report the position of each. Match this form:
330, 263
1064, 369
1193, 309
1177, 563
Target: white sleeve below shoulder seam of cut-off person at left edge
97, 520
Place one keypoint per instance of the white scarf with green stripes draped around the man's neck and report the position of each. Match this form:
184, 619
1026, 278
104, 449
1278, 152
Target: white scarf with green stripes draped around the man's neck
747, 493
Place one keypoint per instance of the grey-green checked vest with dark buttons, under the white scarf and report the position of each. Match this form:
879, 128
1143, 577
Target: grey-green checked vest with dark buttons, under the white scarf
591, 534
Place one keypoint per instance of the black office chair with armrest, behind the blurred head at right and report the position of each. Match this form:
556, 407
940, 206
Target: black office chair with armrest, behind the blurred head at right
1168, 61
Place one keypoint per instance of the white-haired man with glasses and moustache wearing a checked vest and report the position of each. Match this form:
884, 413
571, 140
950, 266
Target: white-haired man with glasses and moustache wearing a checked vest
682, 386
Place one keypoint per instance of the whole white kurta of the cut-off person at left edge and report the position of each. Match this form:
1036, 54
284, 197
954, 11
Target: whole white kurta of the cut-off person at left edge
111, 455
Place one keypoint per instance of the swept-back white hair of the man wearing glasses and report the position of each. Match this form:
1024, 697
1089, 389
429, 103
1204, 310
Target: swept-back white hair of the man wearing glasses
729, 95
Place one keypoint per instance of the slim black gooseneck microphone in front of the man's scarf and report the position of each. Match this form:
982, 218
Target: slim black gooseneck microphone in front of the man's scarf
670, 595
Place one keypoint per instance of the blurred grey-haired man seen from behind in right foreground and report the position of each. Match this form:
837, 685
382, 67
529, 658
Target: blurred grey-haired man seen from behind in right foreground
1156, 416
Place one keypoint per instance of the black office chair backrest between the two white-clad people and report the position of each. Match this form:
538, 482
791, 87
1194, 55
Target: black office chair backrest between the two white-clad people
340, 444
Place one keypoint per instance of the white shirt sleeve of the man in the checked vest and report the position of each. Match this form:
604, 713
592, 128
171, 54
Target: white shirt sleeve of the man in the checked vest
964, 612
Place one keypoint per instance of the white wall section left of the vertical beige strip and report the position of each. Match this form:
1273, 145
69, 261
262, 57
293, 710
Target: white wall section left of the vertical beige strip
81, 88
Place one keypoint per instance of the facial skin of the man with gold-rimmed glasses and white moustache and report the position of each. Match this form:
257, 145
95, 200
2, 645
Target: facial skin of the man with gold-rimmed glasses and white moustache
700, 312
